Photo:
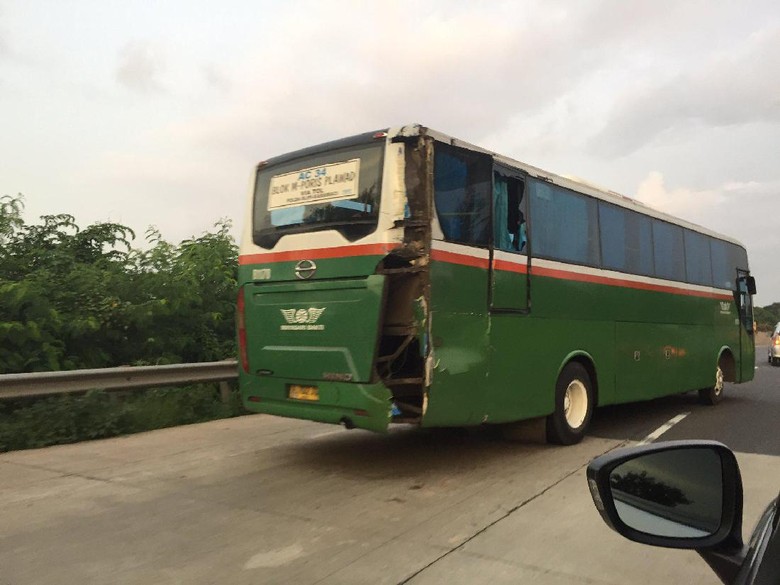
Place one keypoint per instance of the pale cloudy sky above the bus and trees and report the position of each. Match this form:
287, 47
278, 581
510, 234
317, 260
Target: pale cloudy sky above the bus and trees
154, 113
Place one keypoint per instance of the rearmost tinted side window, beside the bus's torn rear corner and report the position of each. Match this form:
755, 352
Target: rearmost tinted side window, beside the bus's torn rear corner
462, 185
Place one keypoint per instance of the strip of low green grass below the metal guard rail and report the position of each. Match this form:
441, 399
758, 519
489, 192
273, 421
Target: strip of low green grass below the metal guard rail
39, 422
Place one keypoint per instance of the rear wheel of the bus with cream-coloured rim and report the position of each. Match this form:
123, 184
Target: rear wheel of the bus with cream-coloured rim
573, 406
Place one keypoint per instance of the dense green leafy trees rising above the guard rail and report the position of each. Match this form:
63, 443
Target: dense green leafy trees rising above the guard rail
84, 298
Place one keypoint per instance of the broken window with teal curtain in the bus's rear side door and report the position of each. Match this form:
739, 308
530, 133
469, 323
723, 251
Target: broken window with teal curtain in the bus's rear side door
509, 227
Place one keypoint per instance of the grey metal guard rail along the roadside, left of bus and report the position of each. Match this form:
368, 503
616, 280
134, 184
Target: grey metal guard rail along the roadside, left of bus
46, 383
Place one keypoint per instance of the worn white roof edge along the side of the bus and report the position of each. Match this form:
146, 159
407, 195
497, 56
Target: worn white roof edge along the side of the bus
569, 183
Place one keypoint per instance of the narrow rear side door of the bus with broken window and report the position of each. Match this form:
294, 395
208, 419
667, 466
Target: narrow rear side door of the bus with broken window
509, 260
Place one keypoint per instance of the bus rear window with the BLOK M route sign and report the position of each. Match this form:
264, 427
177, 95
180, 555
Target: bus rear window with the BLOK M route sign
333, 190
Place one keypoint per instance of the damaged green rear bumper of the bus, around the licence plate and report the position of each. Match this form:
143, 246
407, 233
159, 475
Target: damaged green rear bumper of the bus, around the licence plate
364, 406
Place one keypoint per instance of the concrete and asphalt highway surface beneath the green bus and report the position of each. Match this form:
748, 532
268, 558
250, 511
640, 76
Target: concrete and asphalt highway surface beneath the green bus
268, 500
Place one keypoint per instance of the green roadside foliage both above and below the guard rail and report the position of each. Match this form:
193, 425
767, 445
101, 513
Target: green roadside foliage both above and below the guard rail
73, 297
